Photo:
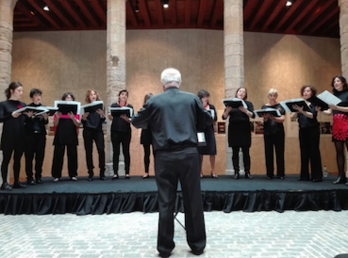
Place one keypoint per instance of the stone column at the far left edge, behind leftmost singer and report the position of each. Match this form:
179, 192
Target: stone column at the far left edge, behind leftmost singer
6, 30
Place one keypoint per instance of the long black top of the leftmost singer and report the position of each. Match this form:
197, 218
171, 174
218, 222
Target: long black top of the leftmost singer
13, 131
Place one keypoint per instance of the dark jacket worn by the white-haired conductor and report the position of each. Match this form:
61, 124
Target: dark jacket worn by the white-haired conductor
173, 118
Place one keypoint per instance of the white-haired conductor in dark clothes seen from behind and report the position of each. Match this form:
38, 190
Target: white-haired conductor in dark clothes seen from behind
173, 117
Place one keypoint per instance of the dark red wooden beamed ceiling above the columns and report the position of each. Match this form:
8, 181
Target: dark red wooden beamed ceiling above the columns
303, 17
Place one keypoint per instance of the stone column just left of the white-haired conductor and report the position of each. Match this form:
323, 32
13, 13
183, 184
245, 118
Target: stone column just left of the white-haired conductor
116, 66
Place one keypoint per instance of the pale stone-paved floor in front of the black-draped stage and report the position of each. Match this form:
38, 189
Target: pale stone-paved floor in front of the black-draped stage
238, 234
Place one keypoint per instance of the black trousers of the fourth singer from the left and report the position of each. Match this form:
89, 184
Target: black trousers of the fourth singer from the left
98, 137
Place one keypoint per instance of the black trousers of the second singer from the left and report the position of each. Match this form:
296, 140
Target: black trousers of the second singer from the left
35, 145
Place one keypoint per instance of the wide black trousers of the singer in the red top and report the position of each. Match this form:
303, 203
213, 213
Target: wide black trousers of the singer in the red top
58, 159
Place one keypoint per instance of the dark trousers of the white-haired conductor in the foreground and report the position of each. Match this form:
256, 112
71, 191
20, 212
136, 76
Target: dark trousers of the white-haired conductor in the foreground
171, 167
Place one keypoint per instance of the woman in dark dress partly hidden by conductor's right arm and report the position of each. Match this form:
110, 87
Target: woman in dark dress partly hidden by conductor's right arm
210, 147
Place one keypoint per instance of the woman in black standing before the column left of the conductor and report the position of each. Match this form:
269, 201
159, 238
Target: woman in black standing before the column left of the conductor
121, 133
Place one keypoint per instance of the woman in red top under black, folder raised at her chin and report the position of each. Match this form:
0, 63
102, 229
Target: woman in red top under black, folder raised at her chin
65, 136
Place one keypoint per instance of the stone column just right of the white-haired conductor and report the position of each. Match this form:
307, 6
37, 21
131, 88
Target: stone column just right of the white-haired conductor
234, 61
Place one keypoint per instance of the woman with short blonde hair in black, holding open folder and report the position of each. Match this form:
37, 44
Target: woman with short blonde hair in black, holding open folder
274, 136
